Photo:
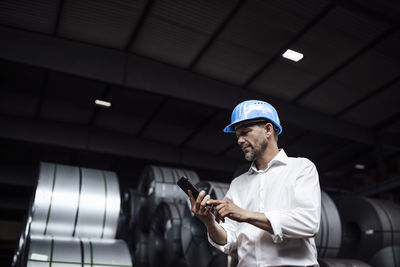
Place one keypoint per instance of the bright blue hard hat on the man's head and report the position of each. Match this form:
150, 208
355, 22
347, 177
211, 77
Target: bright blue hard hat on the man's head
253, 109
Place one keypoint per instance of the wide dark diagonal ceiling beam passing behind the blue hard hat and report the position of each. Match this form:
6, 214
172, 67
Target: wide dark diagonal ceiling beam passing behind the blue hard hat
111, 66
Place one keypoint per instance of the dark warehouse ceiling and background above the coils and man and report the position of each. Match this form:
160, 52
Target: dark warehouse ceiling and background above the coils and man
173, 70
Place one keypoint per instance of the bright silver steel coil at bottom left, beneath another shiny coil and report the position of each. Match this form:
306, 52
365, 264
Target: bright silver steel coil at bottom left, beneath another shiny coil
48, 251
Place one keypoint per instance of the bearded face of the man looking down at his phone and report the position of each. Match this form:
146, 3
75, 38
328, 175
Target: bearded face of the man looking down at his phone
252, 139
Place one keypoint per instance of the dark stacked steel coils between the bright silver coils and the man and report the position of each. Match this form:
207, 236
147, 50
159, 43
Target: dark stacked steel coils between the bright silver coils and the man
169, 234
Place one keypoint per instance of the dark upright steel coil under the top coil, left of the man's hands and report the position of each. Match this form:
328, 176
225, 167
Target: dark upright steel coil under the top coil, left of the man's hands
164, 243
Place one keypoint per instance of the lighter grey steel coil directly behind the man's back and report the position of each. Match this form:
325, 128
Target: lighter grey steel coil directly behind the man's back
329, 237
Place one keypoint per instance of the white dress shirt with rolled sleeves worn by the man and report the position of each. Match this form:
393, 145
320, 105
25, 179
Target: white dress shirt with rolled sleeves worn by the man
288, 193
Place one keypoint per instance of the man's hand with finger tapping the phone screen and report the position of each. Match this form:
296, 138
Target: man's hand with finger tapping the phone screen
226, 208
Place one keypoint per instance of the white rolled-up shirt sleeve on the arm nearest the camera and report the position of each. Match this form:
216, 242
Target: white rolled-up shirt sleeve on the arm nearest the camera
303, 220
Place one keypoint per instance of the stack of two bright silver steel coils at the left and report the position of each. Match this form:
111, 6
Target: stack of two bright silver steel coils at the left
73, 219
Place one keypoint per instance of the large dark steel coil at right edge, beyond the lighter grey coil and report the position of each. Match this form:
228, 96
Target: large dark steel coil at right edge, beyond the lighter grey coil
368, 225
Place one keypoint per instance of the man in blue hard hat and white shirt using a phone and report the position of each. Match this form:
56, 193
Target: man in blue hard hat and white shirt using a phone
272, 212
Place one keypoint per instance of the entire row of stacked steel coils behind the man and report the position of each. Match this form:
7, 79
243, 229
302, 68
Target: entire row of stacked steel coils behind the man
77, 213
